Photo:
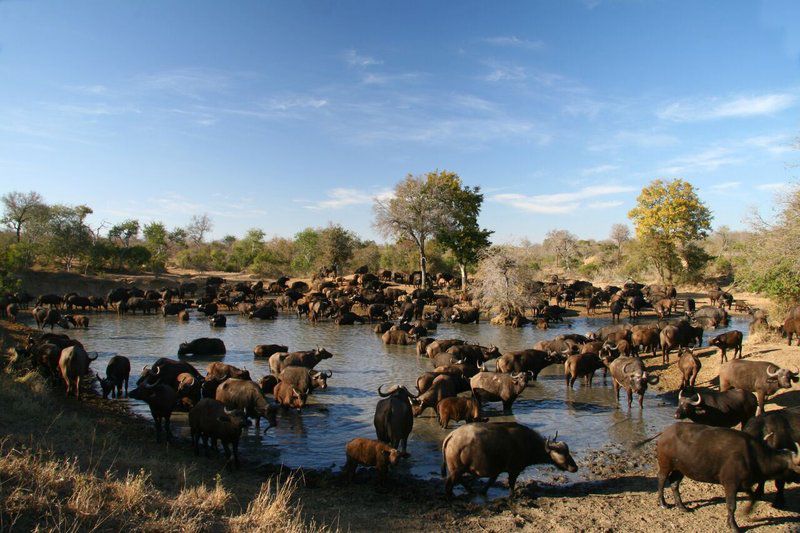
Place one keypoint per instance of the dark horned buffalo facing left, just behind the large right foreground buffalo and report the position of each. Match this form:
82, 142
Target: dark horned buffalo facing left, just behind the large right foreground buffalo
714, 408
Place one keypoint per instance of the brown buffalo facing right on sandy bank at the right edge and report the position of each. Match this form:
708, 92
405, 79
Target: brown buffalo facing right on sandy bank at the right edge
760, 377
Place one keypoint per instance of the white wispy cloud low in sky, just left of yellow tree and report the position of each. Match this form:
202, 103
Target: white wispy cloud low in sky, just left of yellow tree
568, 202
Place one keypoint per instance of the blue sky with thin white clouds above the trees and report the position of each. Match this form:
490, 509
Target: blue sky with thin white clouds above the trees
281, 115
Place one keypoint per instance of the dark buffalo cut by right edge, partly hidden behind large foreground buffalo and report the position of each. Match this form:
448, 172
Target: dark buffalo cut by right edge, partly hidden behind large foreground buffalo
779, 430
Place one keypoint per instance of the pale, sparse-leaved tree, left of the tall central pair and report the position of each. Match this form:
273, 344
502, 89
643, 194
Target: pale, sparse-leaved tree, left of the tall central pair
416, 212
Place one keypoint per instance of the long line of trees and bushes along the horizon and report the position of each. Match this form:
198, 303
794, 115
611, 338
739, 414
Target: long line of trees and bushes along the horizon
431, 222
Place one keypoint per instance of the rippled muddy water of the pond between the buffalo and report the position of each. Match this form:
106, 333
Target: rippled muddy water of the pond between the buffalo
585, 418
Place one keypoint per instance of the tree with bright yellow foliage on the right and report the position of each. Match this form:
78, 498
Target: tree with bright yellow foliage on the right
668, 216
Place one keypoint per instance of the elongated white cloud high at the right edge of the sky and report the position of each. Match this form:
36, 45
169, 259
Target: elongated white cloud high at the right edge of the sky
736, 106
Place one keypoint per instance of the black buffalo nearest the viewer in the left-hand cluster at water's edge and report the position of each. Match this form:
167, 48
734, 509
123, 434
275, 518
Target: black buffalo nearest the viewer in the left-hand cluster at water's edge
210, 420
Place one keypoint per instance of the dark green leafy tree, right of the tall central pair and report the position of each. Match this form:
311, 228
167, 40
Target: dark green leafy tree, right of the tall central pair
463, 236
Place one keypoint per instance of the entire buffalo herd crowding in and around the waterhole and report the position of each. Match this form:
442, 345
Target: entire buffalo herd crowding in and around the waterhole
223, 401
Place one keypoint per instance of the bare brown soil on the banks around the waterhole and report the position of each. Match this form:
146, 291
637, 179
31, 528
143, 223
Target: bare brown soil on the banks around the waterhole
619, 497
